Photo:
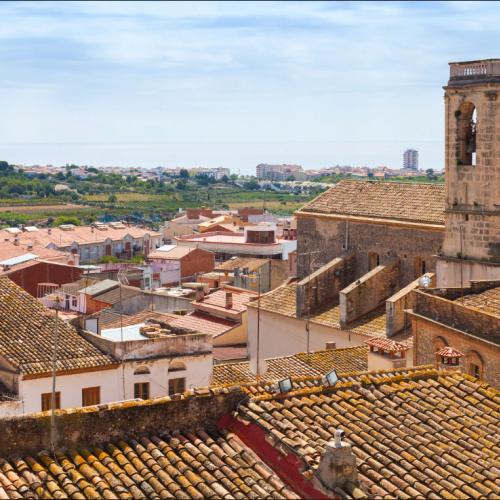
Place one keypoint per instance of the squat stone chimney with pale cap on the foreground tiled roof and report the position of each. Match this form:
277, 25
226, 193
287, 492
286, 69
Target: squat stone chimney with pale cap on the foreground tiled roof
337, 466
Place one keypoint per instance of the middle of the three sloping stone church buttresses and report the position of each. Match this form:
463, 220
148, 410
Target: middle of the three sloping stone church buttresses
369, 292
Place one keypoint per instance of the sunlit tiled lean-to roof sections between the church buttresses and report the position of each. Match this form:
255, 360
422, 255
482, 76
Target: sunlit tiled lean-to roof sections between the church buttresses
282, 300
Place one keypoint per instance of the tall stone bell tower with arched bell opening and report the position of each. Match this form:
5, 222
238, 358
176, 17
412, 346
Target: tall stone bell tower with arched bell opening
471, 247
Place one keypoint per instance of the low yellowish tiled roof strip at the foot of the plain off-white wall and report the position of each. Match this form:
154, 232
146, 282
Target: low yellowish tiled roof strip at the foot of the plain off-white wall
298, 365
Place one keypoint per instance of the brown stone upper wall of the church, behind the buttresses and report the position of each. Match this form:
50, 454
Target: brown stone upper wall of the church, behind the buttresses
326, 238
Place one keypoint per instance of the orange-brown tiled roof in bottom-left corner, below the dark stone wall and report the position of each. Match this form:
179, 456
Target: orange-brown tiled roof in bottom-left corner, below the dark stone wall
189, 465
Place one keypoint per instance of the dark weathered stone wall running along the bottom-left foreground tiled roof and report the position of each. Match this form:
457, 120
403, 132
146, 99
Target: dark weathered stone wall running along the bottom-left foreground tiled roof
93, 425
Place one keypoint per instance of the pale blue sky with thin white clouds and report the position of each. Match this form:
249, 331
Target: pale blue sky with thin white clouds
232, 84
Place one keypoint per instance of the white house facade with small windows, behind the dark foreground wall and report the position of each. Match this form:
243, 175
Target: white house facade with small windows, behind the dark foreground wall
197, 373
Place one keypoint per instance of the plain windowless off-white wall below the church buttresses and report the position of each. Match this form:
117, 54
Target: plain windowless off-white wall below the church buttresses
283, 336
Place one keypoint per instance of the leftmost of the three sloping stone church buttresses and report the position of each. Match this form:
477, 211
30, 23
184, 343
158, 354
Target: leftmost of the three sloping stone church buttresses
321, 288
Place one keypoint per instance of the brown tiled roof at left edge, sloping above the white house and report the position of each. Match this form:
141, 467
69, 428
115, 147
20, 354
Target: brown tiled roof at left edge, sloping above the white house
27, 332
